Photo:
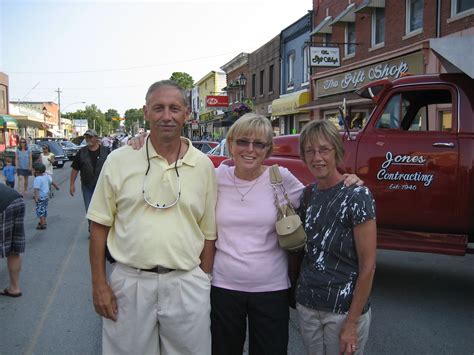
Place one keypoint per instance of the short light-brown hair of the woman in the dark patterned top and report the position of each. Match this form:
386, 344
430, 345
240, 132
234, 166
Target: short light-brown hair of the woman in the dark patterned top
317, 129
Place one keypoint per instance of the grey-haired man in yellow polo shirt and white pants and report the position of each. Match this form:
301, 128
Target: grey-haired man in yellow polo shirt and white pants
154, 210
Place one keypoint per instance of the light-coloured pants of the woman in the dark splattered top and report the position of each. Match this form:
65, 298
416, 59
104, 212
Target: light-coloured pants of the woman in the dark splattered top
320, 330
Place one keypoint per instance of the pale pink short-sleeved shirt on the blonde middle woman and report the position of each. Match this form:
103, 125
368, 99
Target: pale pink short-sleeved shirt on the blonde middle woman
248, 257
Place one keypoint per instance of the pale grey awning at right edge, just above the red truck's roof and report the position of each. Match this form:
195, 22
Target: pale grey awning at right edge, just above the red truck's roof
454, 53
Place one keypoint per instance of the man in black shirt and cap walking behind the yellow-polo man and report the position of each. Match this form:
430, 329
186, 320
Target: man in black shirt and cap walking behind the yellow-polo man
88, 161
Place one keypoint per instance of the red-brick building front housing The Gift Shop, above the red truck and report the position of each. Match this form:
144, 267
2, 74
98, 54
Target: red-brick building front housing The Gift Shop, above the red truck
378, 39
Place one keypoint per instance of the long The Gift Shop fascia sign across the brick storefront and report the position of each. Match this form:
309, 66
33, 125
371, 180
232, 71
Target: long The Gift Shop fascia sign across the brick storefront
350, 81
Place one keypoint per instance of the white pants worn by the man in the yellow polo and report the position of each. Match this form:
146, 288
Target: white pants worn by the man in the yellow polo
159, 313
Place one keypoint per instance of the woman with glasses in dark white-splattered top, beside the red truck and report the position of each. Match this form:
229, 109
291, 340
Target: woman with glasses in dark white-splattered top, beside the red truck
336, 277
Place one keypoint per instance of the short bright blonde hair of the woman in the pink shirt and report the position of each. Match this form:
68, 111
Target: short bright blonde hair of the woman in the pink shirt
252, 124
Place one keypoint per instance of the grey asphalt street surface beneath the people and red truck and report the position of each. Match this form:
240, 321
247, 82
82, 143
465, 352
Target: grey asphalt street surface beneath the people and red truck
421, 303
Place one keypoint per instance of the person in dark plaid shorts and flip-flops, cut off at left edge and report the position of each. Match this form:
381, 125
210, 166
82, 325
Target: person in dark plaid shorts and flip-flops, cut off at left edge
12, 236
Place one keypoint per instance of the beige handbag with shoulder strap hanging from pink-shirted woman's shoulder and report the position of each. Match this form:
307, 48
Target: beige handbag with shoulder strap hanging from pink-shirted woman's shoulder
291, 234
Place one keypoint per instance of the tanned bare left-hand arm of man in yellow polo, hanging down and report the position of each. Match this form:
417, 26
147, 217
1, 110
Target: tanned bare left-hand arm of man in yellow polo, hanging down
104, 300
